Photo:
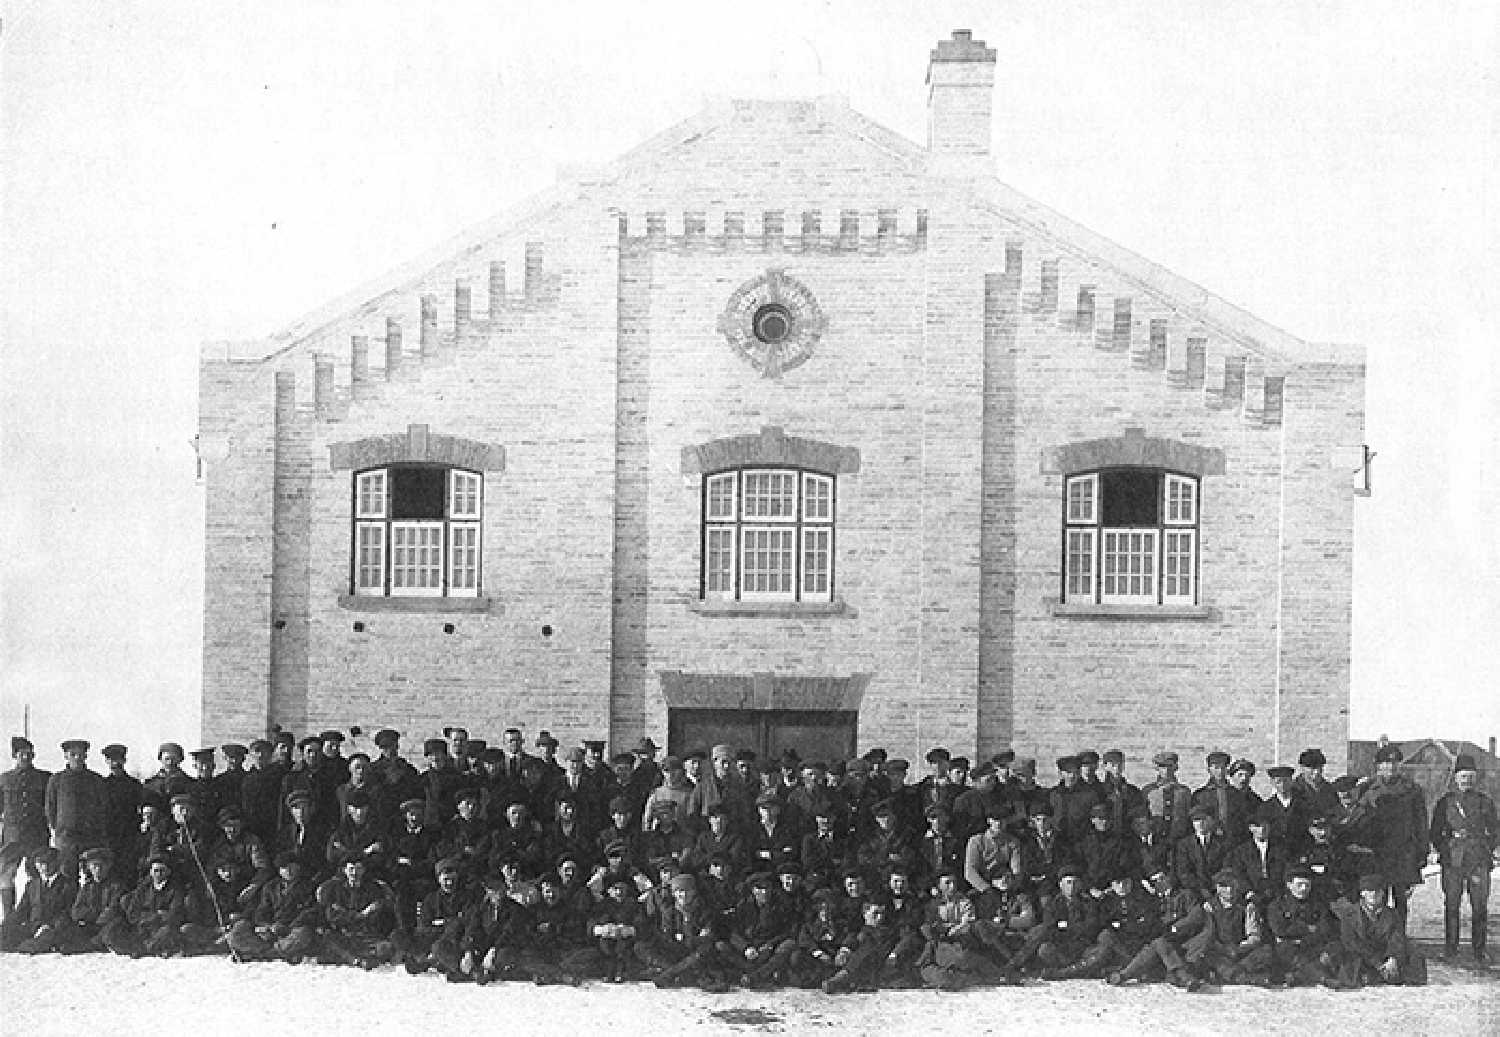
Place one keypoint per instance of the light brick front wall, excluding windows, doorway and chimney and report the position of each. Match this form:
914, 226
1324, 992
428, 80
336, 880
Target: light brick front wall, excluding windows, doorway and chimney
965, 344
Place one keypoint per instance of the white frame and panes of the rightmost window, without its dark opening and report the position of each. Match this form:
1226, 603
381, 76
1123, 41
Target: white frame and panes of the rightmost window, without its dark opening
1091, 552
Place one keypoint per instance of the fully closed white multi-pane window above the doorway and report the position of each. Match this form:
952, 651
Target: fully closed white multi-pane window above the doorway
769, 537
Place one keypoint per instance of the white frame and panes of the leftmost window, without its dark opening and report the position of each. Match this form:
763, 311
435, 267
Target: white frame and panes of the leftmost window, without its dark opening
449, 568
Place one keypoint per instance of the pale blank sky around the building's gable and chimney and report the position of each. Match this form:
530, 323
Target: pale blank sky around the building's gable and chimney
178, 173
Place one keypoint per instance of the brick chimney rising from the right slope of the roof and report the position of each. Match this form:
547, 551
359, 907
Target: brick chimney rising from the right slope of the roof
961, 88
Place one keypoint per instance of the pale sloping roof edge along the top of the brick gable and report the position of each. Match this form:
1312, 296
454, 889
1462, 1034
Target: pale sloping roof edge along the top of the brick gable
989, 193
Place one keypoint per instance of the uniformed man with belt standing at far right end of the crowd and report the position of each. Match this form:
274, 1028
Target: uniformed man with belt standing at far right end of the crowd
1465, 834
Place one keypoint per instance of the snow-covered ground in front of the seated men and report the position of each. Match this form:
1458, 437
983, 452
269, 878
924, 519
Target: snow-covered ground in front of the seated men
112, 996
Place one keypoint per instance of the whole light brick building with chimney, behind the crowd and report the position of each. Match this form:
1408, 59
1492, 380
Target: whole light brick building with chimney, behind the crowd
791, 433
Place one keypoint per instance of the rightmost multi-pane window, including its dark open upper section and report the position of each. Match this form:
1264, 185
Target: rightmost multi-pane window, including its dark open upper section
1132, 538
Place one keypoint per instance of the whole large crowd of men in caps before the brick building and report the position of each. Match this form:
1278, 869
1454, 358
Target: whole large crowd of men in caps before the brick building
719, 870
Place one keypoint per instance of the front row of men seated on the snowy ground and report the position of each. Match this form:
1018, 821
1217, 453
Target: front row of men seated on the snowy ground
676, 925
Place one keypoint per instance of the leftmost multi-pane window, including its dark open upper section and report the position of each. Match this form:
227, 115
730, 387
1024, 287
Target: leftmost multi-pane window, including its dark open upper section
418, 532
